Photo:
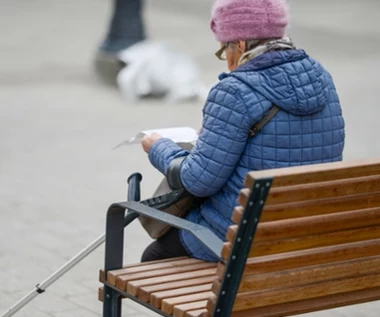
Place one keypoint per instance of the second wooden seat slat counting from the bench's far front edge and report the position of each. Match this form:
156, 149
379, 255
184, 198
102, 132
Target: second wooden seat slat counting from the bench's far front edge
122, 280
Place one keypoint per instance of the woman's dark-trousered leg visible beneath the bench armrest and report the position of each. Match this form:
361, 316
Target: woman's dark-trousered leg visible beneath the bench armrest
169, 246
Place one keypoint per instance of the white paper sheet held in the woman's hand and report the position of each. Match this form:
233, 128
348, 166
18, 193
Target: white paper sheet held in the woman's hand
183, 136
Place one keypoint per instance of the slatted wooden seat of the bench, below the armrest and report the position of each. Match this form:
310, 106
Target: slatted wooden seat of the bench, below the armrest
178, 286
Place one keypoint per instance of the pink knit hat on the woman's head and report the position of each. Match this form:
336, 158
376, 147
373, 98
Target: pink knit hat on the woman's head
233, 20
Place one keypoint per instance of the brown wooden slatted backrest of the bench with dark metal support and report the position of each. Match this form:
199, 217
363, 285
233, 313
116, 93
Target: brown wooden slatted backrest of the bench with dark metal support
316, 241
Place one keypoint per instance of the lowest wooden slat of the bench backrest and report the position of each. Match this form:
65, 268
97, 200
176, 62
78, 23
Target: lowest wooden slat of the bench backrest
305, 306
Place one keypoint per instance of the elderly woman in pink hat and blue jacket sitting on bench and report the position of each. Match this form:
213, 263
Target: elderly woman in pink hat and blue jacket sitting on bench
267, 75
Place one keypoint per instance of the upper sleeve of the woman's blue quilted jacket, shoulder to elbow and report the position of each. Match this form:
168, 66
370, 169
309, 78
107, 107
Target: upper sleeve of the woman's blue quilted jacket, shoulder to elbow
220, 145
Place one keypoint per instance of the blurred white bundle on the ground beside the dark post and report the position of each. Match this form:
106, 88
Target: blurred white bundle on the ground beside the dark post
156, 69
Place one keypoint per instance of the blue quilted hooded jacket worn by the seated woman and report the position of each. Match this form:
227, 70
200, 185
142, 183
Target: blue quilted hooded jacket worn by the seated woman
308, 129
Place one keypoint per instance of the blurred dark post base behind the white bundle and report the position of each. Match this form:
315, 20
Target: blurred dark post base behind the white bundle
126, 29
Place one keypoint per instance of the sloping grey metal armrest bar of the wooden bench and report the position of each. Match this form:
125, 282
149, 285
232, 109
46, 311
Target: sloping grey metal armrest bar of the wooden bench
204, 235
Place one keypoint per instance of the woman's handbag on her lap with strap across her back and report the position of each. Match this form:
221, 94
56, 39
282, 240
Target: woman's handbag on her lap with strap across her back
183, 202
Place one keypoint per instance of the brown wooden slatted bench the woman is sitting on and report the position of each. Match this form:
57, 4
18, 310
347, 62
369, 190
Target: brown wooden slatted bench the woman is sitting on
306, 239
